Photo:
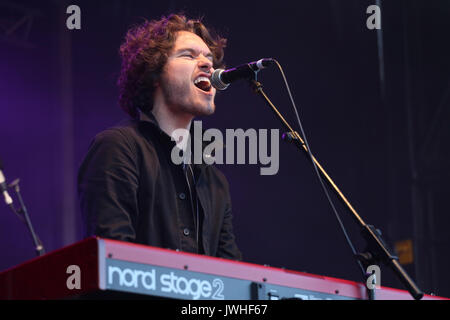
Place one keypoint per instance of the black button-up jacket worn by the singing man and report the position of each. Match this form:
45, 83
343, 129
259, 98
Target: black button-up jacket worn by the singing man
130, 190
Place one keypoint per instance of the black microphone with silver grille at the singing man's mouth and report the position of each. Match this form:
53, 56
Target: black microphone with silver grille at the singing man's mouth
221, 79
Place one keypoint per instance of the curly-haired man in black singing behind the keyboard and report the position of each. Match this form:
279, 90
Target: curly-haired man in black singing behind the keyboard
128, 185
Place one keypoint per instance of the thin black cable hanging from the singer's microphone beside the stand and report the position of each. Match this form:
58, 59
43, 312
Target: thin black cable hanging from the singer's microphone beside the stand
316, 169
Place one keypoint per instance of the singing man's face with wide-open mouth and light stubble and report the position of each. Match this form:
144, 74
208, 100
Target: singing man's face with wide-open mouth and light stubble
184, 82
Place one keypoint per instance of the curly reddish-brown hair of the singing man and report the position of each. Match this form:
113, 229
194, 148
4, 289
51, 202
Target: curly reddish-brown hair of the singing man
144, 54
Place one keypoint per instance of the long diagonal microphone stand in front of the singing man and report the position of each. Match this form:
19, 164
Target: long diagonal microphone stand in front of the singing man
377, 249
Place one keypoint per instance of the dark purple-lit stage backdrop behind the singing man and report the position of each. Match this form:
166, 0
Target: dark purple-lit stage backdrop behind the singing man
374, 104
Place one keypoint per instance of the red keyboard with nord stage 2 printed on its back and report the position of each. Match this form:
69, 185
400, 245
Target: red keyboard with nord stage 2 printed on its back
96, 268
